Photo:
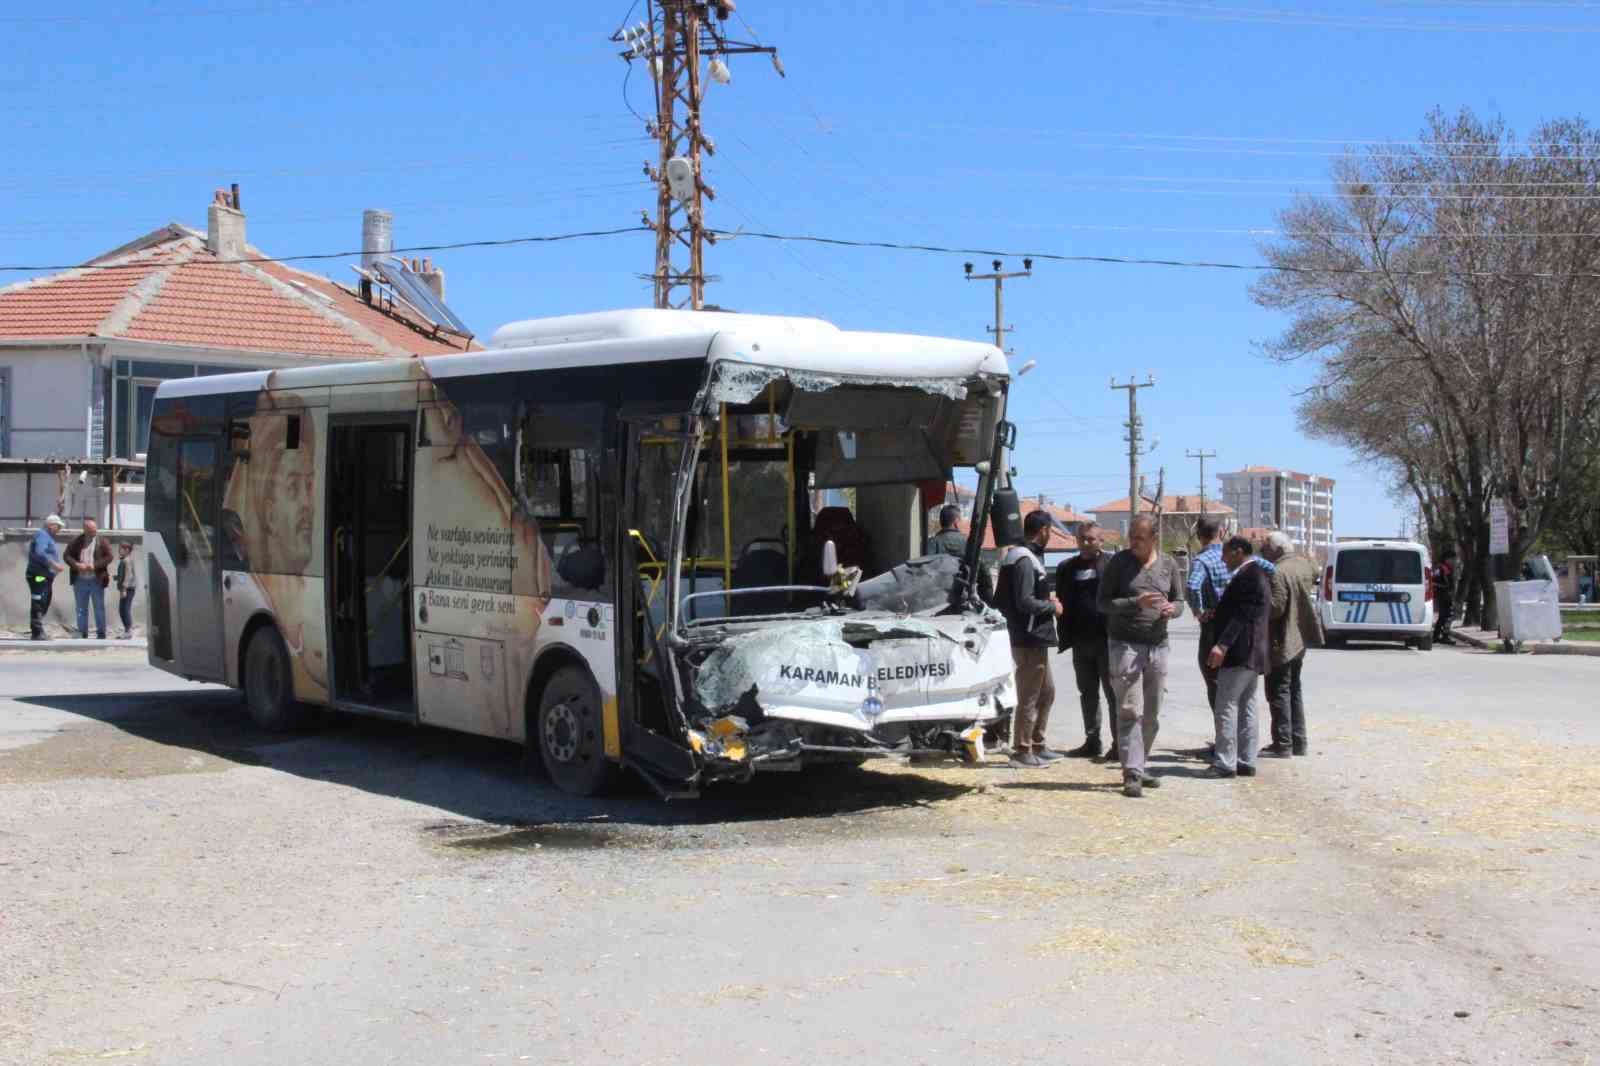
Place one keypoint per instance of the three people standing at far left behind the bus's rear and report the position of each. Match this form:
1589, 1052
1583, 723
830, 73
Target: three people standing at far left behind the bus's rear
90, 563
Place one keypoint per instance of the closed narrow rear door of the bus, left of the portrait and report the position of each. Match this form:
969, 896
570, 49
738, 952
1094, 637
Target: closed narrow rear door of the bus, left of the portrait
196, 561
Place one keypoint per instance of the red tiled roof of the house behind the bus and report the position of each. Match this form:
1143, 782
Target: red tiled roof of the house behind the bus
169, 287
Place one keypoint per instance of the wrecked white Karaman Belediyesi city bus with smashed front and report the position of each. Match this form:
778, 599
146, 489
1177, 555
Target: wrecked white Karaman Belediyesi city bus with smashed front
596, 539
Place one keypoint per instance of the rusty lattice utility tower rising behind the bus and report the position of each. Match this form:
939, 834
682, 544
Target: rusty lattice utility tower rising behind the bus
676, 41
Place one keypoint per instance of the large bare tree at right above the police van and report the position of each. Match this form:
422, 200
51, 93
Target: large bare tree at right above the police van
1452, 299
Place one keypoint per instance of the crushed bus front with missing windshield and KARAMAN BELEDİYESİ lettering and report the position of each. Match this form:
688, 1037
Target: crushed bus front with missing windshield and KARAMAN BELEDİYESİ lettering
793, 612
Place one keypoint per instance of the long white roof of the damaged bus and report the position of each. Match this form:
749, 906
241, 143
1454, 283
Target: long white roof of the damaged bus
649, 335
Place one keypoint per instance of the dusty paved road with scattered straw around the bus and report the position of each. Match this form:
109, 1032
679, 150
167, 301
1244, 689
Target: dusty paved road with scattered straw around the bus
177, 888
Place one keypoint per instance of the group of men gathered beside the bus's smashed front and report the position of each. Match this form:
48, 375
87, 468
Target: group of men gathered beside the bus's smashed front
1111, 614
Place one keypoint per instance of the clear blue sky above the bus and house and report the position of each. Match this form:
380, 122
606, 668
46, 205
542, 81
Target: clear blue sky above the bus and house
1119, 127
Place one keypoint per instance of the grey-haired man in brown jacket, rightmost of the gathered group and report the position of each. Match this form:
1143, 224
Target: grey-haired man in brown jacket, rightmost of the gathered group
1295, 627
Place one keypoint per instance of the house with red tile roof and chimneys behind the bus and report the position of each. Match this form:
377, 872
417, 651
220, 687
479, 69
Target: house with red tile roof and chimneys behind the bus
84, 351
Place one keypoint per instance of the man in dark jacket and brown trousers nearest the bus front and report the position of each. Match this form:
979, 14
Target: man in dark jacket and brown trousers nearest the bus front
1030, 611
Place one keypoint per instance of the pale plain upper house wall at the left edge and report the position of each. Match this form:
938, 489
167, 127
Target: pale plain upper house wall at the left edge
50, 398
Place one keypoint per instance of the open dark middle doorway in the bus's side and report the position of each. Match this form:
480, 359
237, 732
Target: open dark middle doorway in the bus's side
370, 564
